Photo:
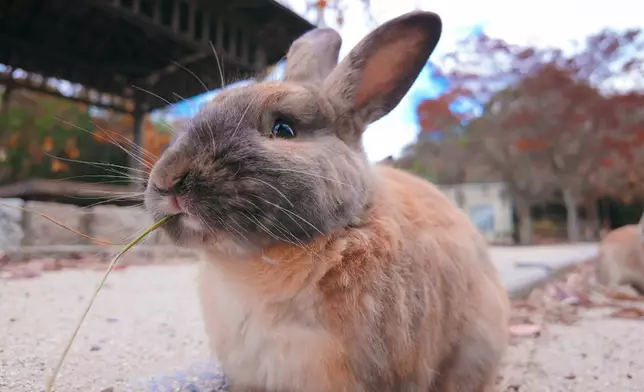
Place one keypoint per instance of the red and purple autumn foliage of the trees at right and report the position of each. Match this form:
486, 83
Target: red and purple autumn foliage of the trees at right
562, 111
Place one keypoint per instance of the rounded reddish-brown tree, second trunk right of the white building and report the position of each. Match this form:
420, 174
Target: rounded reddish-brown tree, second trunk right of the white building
568, 122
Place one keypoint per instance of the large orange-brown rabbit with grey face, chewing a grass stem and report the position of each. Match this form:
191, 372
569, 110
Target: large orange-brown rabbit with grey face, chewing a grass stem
322, 272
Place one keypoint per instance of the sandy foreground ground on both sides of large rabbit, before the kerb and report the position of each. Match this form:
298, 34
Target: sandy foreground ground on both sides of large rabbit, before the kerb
146, 324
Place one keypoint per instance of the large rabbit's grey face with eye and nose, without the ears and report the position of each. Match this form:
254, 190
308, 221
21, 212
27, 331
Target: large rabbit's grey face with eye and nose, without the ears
259, 165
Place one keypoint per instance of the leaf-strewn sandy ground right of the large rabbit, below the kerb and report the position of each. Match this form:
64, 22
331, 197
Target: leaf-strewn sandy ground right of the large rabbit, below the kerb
568, 336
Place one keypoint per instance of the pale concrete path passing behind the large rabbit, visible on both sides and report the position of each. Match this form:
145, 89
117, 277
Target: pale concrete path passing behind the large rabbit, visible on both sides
147, 322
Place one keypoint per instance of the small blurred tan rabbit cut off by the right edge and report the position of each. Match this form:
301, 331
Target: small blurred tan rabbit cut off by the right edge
621, 258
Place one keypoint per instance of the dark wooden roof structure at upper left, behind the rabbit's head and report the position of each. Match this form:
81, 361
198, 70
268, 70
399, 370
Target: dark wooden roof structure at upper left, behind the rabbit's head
116, 49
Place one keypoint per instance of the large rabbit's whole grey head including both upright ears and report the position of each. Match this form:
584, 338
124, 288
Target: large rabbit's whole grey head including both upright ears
283, 161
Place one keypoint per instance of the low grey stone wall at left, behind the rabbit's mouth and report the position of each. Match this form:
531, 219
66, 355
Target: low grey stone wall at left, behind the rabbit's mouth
111, 223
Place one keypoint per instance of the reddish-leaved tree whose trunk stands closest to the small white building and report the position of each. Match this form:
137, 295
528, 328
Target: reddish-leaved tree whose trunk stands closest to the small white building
495, 146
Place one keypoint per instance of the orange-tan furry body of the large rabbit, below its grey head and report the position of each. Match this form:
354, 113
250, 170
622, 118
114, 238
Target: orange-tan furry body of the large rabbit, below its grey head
398, 303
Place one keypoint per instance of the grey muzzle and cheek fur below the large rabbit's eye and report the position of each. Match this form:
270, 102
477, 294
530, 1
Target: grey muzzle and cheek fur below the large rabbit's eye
257, 191
